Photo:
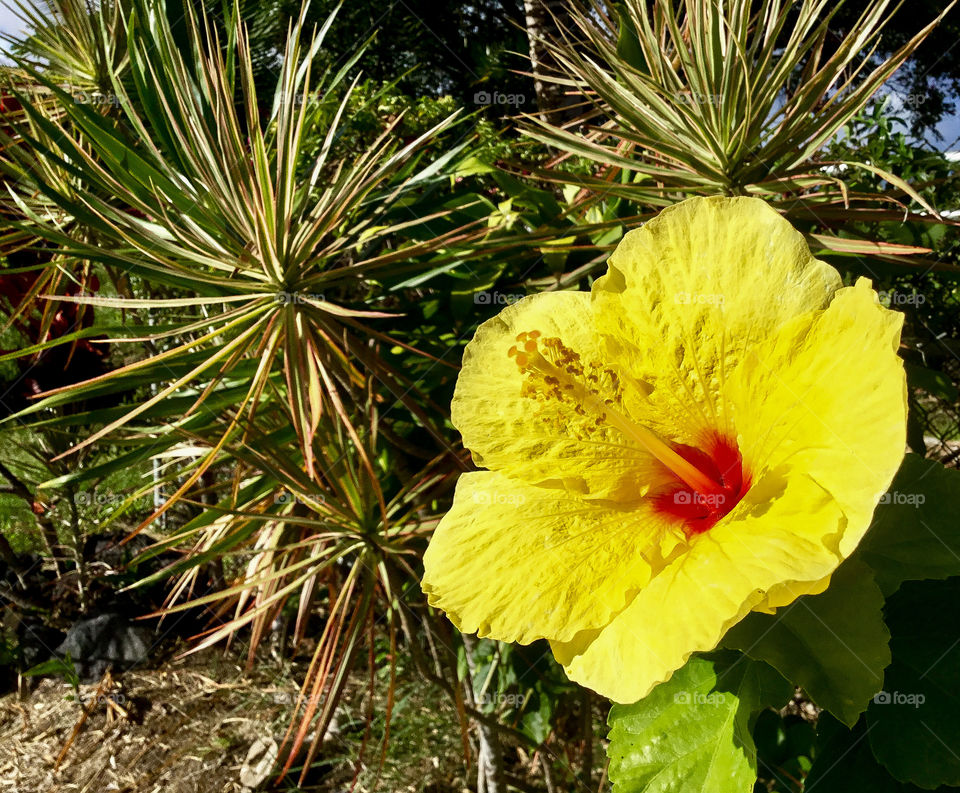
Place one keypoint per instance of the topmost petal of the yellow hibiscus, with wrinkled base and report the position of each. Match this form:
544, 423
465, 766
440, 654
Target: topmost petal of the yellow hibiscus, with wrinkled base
688, 293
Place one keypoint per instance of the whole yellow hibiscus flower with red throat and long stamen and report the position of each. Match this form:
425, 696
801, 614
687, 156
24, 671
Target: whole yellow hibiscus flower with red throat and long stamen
704, 434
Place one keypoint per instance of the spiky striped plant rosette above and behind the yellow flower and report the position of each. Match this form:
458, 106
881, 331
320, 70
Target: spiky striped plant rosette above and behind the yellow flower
701, 97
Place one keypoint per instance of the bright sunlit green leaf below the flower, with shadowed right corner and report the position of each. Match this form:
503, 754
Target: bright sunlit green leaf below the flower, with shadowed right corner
694, 731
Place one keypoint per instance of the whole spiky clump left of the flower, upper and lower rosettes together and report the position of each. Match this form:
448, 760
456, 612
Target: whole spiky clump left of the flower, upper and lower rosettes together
252, 279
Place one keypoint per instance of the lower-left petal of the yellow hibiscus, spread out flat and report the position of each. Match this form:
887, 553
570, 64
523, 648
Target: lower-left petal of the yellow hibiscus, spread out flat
521, 563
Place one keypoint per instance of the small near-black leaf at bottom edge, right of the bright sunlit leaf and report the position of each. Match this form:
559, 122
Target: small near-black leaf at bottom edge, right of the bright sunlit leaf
845, 763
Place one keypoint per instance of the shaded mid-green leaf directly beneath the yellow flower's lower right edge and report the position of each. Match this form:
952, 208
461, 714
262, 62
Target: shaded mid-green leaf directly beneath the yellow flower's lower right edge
834, 645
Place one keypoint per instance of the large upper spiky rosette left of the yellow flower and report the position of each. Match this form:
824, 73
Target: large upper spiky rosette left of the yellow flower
274, 263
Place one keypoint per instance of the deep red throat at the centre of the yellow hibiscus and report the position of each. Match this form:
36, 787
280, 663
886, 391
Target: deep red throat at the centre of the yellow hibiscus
699, 509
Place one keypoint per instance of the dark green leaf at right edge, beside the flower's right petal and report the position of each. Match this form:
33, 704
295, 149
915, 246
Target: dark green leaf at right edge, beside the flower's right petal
915, 533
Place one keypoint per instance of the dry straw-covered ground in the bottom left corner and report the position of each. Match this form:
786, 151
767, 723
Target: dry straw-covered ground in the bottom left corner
177, 730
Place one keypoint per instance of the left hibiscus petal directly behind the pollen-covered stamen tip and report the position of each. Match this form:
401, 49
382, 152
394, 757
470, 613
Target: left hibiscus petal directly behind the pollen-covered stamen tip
524, 427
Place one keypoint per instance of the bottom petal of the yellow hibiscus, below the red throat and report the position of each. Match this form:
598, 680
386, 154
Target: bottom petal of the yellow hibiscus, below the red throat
782, 532
